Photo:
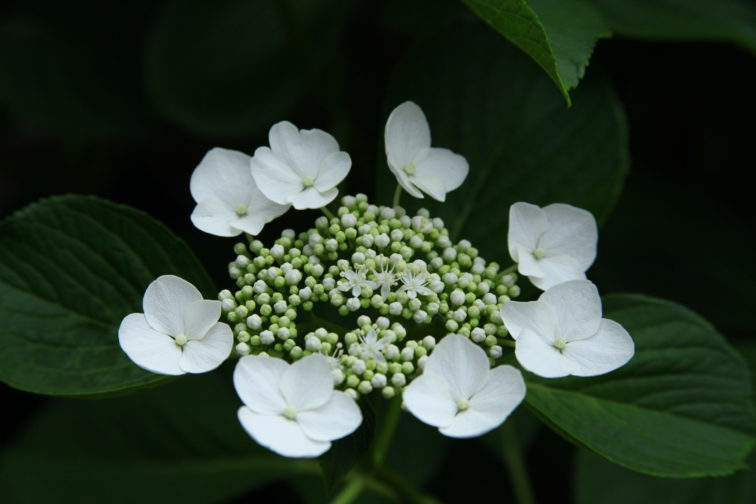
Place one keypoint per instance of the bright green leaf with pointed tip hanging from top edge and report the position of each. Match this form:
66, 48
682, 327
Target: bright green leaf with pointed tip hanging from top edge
558, 34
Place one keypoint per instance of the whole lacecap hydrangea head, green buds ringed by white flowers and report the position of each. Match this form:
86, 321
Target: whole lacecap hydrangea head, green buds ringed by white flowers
371, 300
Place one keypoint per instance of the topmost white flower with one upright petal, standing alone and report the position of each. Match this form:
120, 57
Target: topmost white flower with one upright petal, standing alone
416, 165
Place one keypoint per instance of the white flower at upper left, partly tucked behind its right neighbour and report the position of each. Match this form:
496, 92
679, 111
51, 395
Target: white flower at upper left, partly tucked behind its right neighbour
229, 201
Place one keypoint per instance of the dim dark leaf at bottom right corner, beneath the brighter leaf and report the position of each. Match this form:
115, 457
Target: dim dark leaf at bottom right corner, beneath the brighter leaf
598, 482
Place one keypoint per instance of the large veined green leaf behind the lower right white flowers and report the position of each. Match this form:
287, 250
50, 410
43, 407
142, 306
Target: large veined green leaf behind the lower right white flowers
682, 407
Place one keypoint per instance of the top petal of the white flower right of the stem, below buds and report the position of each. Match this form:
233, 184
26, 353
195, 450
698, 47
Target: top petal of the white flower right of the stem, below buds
462, 363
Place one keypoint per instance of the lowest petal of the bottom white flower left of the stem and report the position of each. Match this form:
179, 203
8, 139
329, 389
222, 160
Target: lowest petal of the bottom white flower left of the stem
280, 435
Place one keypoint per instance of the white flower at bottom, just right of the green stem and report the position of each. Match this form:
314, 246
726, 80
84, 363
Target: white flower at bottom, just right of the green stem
459, 393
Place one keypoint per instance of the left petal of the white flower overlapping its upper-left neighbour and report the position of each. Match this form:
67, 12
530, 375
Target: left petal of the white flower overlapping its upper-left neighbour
276, 179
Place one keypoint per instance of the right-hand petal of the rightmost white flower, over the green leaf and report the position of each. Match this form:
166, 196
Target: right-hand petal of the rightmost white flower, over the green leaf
609, 349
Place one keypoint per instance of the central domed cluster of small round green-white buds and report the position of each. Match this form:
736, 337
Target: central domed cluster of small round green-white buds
409, 284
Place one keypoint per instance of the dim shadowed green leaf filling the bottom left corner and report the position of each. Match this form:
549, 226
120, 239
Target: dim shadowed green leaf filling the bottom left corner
179, 443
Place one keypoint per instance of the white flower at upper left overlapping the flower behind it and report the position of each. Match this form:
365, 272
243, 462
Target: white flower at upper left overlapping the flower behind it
301, 167
